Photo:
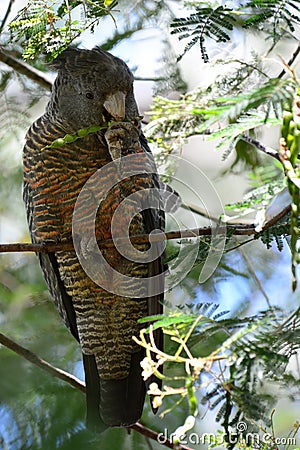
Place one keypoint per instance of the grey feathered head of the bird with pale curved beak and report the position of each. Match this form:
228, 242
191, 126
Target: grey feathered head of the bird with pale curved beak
91, 88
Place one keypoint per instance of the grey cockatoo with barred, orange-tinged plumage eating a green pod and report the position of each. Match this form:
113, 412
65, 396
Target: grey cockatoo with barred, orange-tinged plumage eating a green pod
92, 87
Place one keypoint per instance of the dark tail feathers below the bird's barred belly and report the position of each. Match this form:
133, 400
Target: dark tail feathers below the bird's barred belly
114, 403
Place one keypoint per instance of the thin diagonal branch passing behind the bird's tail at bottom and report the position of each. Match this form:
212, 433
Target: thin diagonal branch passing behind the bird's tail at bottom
76, 383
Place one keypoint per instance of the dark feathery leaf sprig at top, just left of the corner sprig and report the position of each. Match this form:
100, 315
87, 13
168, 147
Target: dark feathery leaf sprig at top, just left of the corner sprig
206, 22
